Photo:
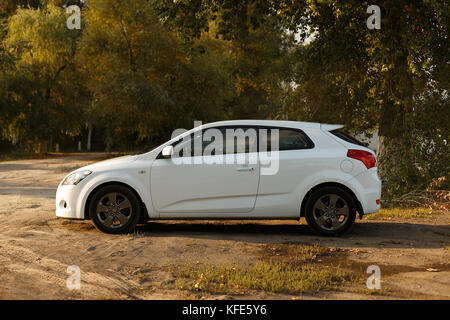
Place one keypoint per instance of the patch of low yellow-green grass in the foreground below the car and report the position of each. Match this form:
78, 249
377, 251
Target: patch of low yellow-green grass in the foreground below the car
296, 271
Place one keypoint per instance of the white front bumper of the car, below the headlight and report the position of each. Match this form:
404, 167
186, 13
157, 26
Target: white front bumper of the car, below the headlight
67, 202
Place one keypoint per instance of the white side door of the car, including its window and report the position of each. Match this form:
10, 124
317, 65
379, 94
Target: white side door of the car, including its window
195, 183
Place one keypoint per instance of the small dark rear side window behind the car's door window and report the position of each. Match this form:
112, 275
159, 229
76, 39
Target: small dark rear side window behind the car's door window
289, 139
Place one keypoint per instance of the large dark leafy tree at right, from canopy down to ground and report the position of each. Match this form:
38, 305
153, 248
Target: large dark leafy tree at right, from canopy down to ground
391, 79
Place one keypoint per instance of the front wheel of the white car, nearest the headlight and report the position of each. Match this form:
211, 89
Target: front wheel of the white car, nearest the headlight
110, 211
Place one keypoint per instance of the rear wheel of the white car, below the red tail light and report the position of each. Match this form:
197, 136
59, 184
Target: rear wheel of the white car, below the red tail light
324, 218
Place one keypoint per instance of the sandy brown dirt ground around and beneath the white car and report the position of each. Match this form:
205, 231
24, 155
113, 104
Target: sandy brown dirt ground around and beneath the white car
36, 248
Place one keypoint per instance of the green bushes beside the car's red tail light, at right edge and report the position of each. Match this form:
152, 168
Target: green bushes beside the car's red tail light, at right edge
412, 161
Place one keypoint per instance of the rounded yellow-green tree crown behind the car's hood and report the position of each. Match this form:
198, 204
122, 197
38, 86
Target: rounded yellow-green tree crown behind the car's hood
126, 56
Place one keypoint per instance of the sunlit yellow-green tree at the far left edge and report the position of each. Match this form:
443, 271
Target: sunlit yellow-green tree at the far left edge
39, 86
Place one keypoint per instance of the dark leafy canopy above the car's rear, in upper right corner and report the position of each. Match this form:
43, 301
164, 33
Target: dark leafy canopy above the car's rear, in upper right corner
369, 79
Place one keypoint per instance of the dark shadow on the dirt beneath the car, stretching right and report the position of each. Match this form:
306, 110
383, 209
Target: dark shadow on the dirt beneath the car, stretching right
368, 234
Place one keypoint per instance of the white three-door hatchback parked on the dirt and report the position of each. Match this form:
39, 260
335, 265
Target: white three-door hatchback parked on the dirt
279, 170
